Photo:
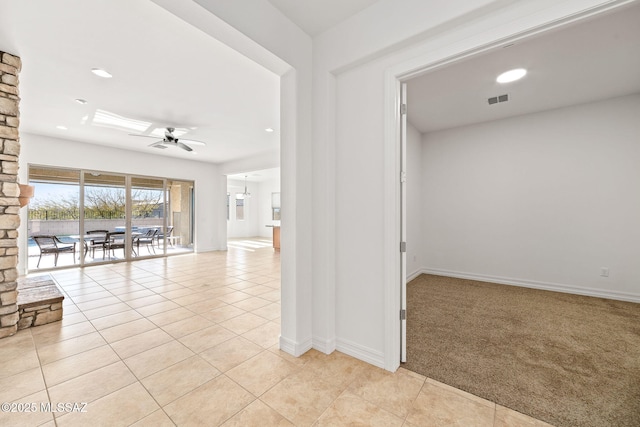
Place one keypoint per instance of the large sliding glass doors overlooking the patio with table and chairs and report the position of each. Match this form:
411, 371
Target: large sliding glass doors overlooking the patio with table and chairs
105, 217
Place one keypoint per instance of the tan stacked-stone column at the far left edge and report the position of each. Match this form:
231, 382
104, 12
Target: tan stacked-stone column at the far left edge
9, 191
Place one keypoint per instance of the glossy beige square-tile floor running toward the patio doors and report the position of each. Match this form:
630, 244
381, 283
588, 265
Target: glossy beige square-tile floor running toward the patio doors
192, 341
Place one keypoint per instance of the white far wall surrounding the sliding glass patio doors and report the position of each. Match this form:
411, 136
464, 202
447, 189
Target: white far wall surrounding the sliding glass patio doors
209, 183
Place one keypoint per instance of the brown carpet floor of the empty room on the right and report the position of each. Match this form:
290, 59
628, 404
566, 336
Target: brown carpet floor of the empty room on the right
565, 359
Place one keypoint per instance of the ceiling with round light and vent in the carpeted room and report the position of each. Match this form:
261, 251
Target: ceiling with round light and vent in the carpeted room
593, 60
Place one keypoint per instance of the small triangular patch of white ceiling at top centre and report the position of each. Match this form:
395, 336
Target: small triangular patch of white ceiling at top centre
316, 16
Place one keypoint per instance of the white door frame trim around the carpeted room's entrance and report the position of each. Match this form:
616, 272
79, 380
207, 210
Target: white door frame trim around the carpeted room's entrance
394, 77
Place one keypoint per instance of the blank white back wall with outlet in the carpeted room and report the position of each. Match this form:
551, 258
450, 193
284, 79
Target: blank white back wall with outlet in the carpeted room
542, 200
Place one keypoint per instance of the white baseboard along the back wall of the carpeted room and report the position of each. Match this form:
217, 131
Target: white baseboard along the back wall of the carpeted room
547, 286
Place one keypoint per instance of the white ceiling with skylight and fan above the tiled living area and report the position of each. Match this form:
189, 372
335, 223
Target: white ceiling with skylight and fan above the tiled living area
165, 73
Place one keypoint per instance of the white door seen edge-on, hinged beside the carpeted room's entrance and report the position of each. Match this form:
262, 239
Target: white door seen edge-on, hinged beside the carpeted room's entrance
403, 222
